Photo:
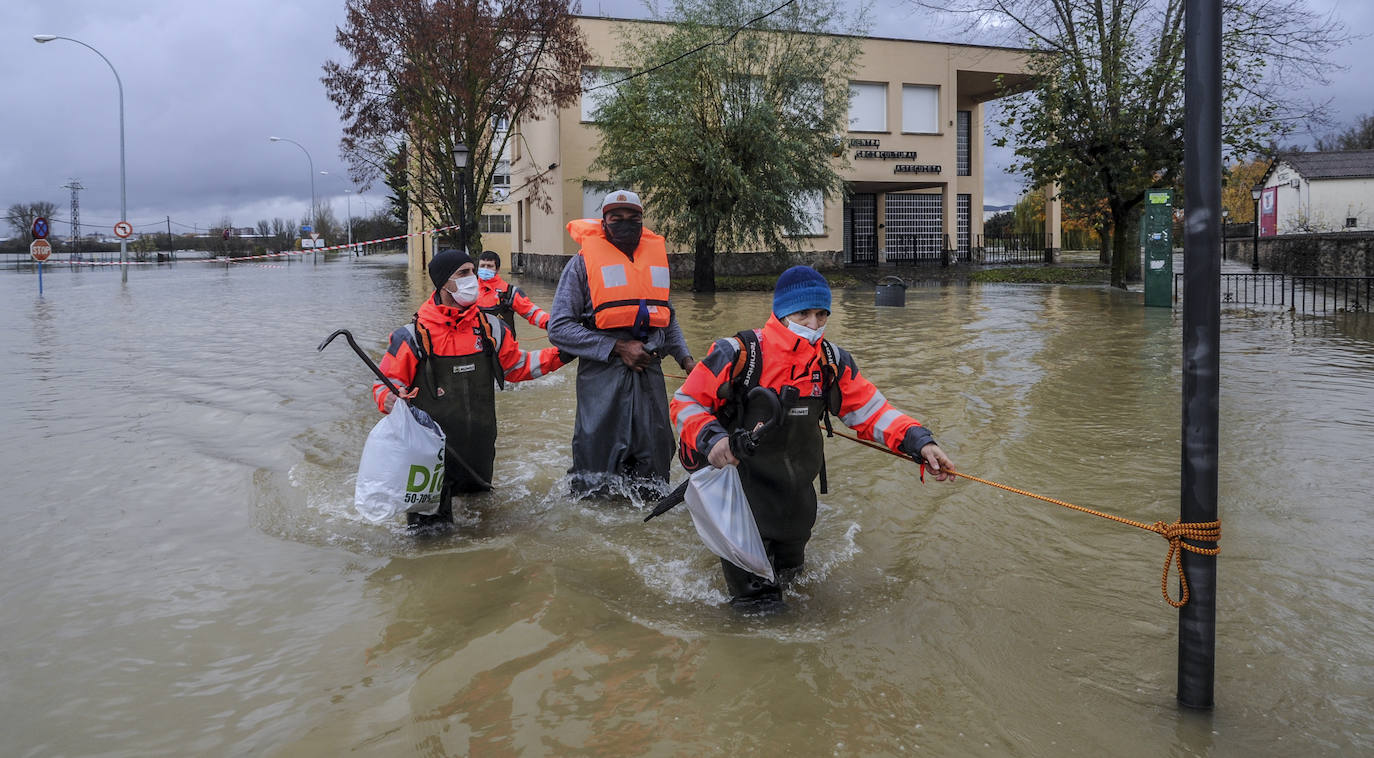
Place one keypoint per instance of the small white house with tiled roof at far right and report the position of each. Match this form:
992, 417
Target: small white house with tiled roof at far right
1318, 193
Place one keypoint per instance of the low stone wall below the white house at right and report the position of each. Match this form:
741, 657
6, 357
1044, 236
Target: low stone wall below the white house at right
1321, 255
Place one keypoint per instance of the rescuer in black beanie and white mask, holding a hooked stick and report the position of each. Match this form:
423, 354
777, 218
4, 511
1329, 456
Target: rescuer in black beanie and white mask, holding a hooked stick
451, 356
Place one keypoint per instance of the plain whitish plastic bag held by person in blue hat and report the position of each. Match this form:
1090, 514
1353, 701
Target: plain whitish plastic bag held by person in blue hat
723, 520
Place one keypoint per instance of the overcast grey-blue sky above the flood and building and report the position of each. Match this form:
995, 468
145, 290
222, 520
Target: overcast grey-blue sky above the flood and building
205, 84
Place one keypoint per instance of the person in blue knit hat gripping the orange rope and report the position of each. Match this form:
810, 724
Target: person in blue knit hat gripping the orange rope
814, 381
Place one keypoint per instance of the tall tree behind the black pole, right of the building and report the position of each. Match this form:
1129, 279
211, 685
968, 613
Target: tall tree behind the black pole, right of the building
1105, 119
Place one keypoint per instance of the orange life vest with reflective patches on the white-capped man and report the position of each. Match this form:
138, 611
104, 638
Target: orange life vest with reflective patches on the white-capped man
619, 286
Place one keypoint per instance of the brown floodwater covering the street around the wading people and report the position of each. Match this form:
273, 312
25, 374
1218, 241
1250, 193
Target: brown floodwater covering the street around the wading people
182, 572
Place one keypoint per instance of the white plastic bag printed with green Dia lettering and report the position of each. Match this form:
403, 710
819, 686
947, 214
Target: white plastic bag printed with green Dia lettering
403, 466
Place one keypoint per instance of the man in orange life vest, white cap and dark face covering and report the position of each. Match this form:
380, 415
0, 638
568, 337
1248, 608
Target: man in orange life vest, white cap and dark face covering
612, 312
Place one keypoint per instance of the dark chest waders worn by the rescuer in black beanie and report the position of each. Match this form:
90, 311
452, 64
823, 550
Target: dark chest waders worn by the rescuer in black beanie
460, 392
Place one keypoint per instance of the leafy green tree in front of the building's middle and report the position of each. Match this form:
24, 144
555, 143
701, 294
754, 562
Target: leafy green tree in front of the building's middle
730, 134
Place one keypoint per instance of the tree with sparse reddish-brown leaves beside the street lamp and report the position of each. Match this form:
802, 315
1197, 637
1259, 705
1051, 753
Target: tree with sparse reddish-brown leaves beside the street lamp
424, 76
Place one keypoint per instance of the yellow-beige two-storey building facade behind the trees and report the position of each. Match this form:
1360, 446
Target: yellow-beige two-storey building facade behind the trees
916, 176
